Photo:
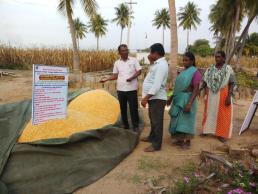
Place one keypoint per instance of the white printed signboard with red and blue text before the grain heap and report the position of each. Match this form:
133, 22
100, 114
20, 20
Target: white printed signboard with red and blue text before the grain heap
49, 93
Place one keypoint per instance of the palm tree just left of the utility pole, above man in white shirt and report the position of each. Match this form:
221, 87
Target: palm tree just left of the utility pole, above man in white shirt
122, 18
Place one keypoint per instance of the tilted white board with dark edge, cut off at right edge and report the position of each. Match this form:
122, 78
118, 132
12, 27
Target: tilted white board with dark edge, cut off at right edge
250, 114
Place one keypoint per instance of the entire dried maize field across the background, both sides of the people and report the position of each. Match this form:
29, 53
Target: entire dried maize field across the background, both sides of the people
91, 61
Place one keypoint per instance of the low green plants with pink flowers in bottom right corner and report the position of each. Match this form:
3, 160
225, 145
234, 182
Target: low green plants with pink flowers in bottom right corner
238, 178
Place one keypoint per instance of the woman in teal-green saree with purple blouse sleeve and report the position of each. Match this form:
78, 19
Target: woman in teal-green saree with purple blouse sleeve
184, 104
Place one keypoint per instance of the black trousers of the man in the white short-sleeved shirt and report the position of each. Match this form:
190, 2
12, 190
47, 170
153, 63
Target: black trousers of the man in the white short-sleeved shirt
132, 99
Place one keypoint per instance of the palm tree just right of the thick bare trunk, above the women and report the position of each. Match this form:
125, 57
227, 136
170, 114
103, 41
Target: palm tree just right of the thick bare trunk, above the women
189, 17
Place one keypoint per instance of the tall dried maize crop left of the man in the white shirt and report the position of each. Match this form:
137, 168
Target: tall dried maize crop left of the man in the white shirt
21, 58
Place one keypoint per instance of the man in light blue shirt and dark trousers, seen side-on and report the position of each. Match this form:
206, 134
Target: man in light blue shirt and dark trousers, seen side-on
154, 94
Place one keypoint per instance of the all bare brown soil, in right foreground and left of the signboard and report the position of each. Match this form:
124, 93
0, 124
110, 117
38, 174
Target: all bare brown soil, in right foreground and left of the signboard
162, 167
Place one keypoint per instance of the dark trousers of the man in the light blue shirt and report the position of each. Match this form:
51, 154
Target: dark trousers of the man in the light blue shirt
156, 114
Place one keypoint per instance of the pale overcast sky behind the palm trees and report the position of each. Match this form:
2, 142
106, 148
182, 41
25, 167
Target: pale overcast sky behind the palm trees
37, 23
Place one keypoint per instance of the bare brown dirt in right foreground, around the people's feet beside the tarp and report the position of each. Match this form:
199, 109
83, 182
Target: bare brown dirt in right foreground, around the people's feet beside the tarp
163, 166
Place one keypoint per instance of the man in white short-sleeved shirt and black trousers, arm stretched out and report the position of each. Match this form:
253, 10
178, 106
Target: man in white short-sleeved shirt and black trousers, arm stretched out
125, 71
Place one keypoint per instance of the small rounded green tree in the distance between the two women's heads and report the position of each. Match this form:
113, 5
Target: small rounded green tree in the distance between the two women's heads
201, 47
